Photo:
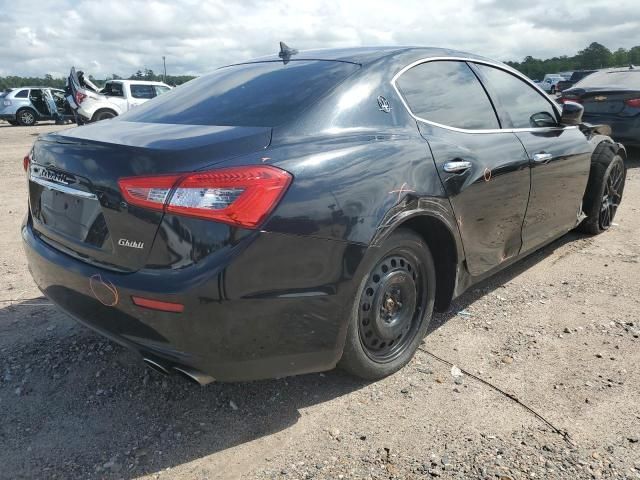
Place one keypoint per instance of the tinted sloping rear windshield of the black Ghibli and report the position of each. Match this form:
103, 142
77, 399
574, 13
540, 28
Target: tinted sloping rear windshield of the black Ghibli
263, 94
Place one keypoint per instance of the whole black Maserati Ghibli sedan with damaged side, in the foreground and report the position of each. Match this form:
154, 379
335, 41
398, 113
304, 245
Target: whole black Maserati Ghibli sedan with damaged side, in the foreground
307, 210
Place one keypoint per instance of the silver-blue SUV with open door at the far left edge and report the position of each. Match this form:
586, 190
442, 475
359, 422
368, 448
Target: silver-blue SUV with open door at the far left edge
27, 105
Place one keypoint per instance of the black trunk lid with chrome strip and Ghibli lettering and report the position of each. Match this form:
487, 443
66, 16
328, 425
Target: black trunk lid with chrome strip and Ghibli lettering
75, 202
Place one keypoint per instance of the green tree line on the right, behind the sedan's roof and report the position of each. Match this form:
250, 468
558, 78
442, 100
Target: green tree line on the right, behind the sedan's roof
593, 57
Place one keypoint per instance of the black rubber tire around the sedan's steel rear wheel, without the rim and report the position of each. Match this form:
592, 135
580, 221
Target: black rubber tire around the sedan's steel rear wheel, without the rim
355, 359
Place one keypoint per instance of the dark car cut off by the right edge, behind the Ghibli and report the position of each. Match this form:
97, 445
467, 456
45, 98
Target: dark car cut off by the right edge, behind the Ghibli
611, 97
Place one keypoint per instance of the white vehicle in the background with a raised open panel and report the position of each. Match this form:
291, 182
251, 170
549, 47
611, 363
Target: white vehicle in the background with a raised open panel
92, 104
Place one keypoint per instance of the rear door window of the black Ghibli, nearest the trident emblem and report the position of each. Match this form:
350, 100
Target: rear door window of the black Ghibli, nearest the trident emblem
447, 93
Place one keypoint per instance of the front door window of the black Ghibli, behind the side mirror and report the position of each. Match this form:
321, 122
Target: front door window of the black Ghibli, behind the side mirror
524, 105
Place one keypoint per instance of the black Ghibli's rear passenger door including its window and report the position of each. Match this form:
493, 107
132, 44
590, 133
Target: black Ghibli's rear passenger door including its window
484, 170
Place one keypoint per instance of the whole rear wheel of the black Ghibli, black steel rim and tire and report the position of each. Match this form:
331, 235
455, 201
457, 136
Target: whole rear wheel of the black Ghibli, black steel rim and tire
393, 308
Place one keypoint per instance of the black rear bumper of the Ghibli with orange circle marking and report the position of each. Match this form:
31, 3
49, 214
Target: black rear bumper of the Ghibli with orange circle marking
278, 306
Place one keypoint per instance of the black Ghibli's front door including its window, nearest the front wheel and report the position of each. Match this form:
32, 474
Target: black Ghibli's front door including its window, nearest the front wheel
559, 157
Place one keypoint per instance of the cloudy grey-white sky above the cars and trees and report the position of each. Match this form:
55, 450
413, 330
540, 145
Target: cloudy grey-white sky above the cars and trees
122, 36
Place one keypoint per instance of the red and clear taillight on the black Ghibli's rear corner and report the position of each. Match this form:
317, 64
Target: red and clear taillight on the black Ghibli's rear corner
241, 196
